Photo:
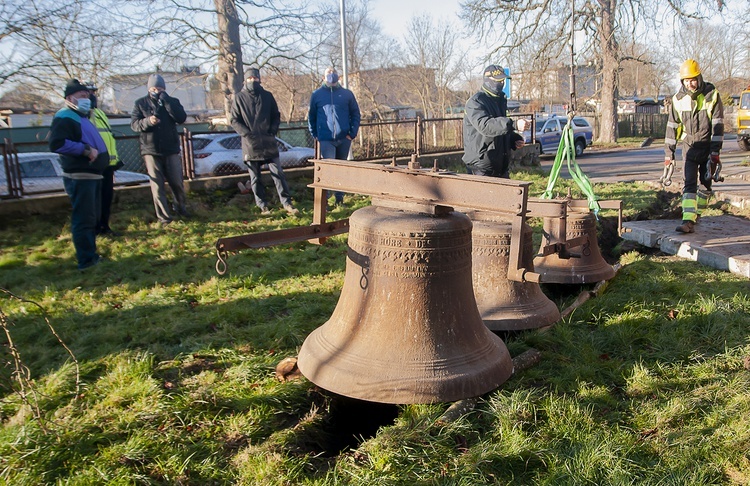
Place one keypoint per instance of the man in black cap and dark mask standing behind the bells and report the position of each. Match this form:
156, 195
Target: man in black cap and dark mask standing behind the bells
489, 135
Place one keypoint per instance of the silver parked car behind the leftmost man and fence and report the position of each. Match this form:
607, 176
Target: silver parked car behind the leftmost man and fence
41, 172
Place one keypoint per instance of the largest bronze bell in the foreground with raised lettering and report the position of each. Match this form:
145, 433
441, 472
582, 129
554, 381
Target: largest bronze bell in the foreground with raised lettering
406, 328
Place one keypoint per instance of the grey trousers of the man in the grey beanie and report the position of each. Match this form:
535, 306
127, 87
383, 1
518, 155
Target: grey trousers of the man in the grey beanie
167, 169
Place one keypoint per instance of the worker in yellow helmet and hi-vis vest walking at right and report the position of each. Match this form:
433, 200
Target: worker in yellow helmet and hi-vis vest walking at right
696, 118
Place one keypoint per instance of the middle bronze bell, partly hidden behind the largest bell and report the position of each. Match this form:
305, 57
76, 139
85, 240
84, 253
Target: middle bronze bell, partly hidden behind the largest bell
506, 305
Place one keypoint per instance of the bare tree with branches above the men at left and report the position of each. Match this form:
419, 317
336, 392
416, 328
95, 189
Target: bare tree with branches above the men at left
233, 33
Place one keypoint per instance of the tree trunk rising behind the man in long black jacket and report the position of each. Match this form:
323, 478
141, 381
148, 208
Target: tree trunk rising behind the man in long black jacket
230, 73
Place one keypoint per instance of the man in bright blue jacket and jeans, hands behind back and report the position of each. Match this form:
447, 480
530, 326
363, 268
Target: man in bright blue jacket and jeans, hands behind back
333, 119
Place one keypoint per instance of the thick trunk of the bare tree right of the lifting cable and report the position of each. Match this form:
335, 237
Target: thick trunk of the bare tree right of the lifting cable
610, 67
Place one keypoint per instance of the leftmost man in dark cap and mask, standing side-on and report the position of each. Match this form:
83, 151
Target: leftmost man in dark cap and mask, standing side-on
83, 157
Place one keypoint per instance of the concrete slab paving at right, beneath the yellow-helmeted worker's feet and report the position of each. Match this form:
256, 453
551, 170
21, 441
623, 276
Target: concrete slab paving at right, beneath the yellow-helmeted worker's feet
721, 242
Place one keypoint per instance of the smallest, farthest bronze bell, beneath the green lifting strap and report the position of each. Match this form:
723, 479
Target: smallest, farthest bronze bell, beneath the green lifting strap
584, 264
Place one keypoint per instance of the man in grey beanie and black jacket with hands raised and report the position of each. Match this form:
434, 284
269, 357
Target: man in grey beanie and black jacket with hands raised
156, 117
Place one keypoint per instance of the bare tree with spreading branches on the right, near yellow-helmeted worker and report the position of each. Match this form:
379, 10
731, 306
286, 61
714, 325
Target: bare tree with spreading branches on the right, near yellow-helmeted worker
606, 22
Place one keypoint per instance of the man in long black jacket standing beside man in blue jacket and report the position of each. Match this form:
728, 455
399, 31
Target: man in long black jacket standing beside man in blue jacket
255, 116
